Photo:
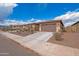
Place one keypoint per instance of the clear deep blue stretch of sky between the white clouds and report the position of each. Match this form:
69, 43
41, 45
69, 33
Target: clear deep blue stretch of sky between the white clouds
26, 11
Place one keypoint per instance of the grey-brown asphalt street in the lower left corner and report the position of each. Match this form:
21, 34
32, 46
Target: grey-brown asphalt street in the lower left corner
11, 48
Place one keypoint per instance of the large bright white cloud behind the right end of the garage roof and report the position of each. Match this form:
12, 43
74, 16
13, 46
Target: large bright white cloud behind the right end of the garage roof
69, 18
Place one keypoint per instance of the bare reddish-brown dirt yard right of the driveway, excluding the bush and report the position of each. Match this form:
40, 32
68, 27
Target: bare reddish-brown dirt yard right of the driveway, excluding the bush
68, 39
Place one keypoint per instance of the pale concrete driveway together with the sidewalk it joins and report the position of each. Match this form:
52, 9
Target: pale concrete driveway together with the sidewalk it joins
38, 43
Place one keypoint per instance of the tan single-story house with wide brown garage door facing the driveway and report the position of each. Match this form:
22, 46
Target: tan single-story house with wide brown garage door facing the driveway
48, 26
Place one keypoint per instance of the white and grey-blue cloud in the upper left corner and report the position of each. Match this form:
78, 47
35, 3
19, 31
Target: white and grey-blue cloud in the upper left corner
6, 9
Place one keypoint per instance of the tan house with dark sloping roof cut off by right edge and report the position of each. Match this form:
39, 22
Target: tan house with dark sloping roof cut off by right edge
73, 28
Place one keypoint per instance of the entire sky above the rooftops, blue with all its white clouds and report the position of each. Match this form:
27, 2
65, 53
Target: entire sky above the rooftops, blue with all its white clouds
35, 12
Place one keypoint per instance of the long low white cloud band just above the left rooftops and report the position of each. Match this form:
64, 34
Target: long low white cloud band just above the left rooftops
20, 22
